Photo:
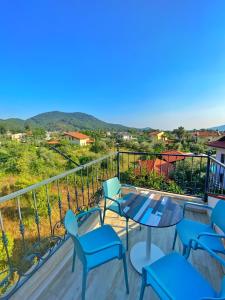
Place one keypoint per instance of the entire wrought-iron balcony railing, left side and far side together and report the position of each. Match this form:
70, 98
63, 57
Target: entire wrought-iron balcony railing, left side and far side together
31, 219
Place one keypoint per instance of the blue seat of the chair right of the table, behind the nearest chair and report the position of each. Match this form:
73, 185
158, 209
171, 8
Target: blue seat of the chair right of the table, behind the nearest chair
188, 229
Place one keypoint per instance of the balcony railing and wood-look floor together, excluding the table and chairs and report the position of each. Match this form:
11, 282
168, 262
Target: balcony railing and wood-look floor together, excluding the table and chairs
37, 250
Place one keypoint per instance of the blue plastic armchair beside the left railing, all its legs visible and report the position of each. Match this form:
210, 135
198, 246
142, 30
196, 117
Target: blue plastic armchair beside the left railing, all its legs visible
95, 247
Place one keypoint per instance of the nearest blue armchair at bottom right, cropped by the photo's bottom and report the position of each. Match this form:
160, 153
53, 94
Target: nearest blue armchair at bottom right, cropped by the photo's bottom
173, 277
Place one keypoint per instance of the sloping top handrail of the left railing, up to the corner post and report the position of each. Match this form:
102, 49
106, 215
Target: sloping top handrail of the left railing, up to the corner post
52, 179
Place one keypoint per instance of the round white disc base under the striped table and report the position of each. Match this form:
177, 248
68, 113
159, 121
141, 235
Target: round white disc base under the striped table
138, 256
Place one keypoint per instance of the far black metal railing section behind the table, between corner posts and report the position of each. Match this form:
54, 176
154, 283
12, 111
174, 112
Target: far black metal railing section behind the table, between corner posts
177, 173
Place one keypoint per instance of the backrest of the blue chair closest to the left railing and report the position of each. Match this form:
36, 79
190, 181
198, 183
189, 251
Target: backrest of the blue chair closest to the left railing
71, 225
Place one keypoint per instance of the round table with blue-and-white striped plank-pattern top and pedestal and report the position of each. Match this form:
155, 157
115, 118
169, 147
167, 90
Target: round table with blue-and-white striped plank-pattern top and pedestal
151, 210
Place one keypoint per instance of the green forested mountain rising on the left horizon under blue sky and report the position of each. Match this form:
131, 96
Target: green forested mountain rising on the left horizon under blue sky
57, 120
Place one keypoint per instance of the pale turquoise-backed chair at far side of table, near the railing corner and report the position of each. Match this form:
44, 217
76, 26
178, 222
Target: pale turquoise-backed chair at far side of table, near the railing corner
112, 193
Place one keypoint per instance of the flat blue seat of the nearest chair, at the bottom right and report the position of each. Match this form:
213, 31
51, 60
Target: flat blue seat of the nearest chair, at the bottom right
177, 276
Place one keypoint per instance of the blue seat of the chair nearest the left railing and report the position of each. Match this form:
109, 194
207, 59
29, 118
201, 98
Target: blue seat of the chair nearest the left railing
97, 238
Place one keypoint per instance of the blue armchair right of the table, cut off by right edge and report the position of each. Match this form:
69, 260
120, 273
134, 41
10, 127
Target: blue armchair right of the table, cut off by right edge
188, 229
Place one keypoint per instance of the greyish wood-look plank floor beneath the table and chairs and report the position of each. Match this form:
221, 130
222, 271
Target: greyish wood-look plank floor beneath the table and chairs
107, 282
